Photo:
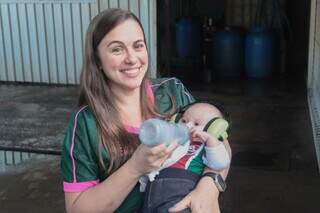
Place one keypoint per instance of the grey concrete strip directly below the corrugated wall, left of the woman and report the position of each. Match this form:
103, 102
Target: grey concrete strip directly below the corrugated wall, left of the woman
33, 117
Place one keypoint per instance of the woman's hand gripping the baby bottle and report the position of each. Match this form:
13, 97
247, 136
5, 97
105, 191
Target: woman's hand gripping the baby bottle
146, 159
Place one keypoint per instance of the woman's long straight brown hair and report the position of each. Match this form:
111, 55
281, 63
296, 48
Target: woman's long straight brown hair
95, 92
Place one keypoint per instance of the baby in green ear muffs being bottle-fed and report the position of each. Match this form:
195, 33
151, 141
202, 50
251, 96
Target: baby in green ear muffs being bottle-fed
207, 130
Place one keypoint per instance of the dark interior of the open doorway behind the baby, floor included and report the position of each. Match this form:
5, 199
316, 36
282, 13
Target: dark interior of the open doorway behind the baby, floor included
271, 135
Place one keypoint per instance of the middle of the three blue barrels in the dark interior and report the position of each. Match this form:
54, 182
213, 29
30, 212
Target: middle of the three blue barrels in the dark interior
227, 53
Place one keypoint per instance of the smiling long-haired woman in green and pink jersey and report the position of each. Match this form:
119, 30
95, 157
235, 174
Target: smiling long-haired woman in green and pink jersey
102, 158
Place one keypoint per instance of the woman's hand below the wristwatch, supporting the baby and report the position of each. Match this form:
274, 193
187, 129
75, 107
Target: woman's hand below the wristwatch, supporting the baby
203, 199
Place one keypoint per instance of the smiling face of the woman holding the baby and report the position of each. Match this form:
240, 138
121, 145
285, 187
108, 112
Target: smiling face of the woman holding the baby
123, 56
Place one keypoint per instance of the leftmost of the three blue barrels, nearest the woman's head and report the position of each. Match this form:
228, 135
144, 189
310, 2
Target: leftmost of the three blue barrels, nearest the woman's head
188, 38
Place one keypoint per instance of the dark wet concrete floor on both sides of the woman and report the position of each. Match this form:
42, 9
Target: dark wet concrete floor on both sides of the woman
274, 164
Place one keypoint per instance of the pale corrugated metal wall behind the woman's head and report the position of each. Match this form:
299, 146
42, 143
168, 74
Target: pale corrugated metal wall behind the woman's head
42, 41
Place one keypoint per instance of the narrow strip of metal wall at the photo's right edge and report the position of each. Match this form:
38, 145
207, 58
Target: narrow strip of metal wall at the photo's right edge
314, 73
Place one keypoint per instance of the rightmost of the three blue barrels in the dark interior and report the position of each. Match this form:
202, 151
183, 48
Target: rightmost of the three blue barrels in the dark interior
260, 53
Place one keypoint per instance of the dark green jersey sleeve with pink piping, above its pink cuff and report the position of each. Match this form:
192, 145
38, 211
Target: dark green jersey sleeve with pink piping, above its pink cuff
79, 161
